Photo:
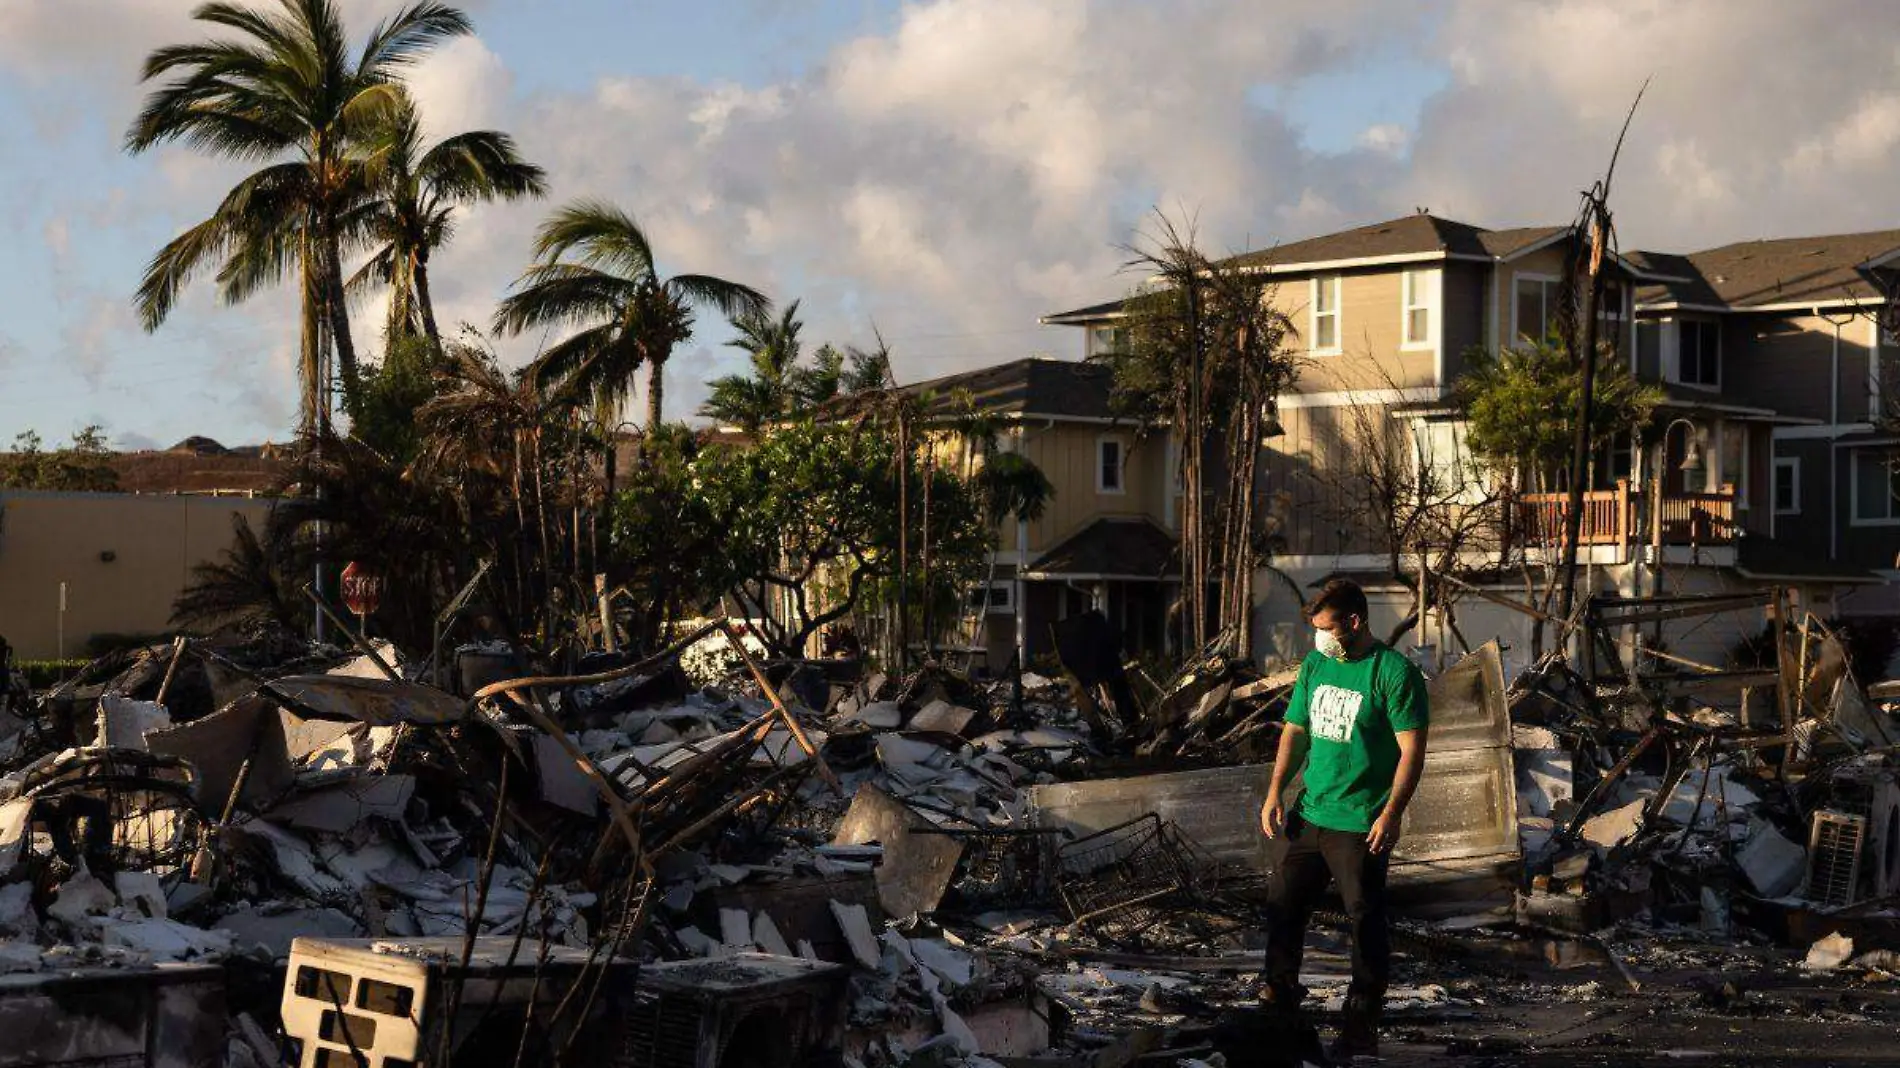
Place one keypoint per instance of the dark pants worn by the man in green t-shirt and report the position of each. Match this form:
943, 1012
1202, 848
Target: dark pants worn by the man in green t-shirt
1308, 856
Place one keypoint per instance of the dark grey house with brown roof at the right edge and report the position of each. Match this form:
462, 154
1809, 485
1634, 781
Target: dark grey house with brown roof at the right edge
1793, 326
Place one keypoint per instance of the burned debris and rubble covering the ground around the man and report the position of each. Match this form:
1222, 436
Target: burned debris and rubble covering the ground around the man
913, 869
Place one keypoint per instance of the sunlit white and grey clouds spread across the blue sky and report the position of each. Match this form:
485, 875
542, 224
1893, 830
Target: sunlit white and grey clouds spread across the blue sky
981, 161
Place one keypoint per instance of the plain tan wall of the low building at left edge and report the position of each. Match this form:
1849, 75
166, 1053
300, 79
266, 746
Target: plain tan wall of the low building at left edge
155, 541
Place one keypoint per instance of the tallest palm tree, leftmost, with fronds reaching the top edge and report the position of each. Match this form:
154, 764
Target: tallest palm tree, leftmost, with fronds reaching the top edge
282, 90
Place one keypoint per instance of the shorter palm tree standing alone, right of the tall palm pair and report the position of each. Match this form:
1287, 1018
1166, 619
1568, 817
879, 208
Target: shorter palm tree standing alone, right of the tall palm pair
624, 313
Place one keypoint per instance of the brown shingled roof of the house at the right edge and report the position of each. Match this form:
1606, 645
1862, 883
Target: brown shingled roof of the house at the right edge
1785, 271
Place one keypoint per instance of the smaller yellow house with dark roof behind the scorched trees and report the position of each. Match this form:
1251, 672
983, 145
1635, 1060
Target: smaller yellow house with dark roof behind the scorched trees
1105, 539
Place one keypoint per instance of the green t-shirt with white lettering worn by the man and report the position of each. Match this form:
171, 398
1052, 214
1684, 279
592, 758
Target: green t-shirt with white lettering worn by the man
1352, 712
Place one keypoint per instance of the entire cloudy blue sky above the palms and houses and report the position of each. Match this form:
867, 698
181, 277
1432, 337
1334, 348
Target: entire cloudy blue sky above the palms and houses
940, 172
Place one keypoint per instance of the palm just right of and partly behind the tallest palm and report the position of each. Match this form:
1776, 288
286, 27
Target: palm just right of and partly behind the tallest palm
417, 195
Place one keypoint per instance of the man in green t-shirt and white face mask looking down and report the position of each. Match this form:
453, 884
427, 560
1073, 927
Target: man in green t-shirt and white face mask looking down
1358, 725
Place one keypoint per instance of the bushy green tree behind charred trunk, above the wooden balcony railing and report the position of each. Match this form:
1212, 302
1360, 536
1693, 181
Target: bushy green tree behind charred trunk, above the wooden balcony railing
1521, 410
